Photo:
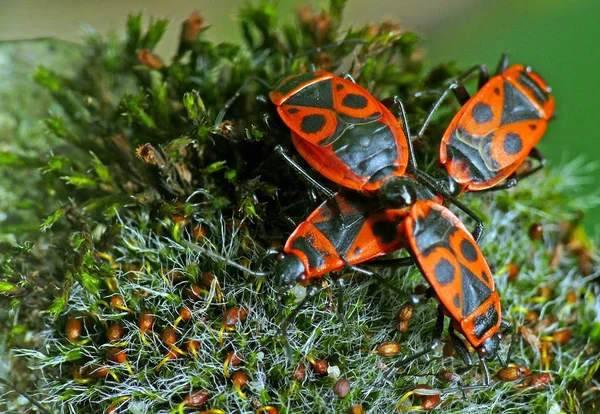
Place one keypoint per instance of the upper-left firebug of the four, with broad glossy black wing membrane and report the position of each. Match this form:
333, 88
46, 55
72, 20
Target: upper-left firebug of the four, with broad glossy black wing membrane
350, 137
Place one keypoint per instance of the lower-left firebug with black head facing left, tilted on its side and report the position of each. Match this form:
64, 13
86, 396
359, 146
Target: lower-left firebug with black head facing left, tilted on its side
346, 230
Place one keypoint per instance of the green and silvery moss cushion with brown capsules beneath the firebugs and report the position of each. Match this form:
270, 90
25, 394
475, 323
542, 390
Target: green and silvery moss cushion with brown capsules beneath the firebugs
115, 222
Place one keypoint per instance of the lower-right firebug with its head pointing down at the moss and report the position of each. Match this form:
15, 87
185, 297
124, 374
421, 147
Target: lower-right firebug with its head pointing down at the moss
449, 258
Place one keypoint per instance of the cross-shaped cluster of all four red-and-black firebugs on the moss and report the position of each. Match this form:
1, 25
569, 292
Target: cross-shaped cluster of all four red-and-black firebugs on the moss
355, 141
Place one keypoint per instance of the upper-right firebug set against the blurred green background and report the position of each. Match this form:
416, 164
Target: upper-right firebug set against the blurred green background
496, 129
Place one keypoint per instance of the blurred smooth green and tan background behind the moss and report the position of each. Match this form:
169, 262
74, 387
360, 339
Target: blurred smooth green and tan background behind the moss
557, 38
